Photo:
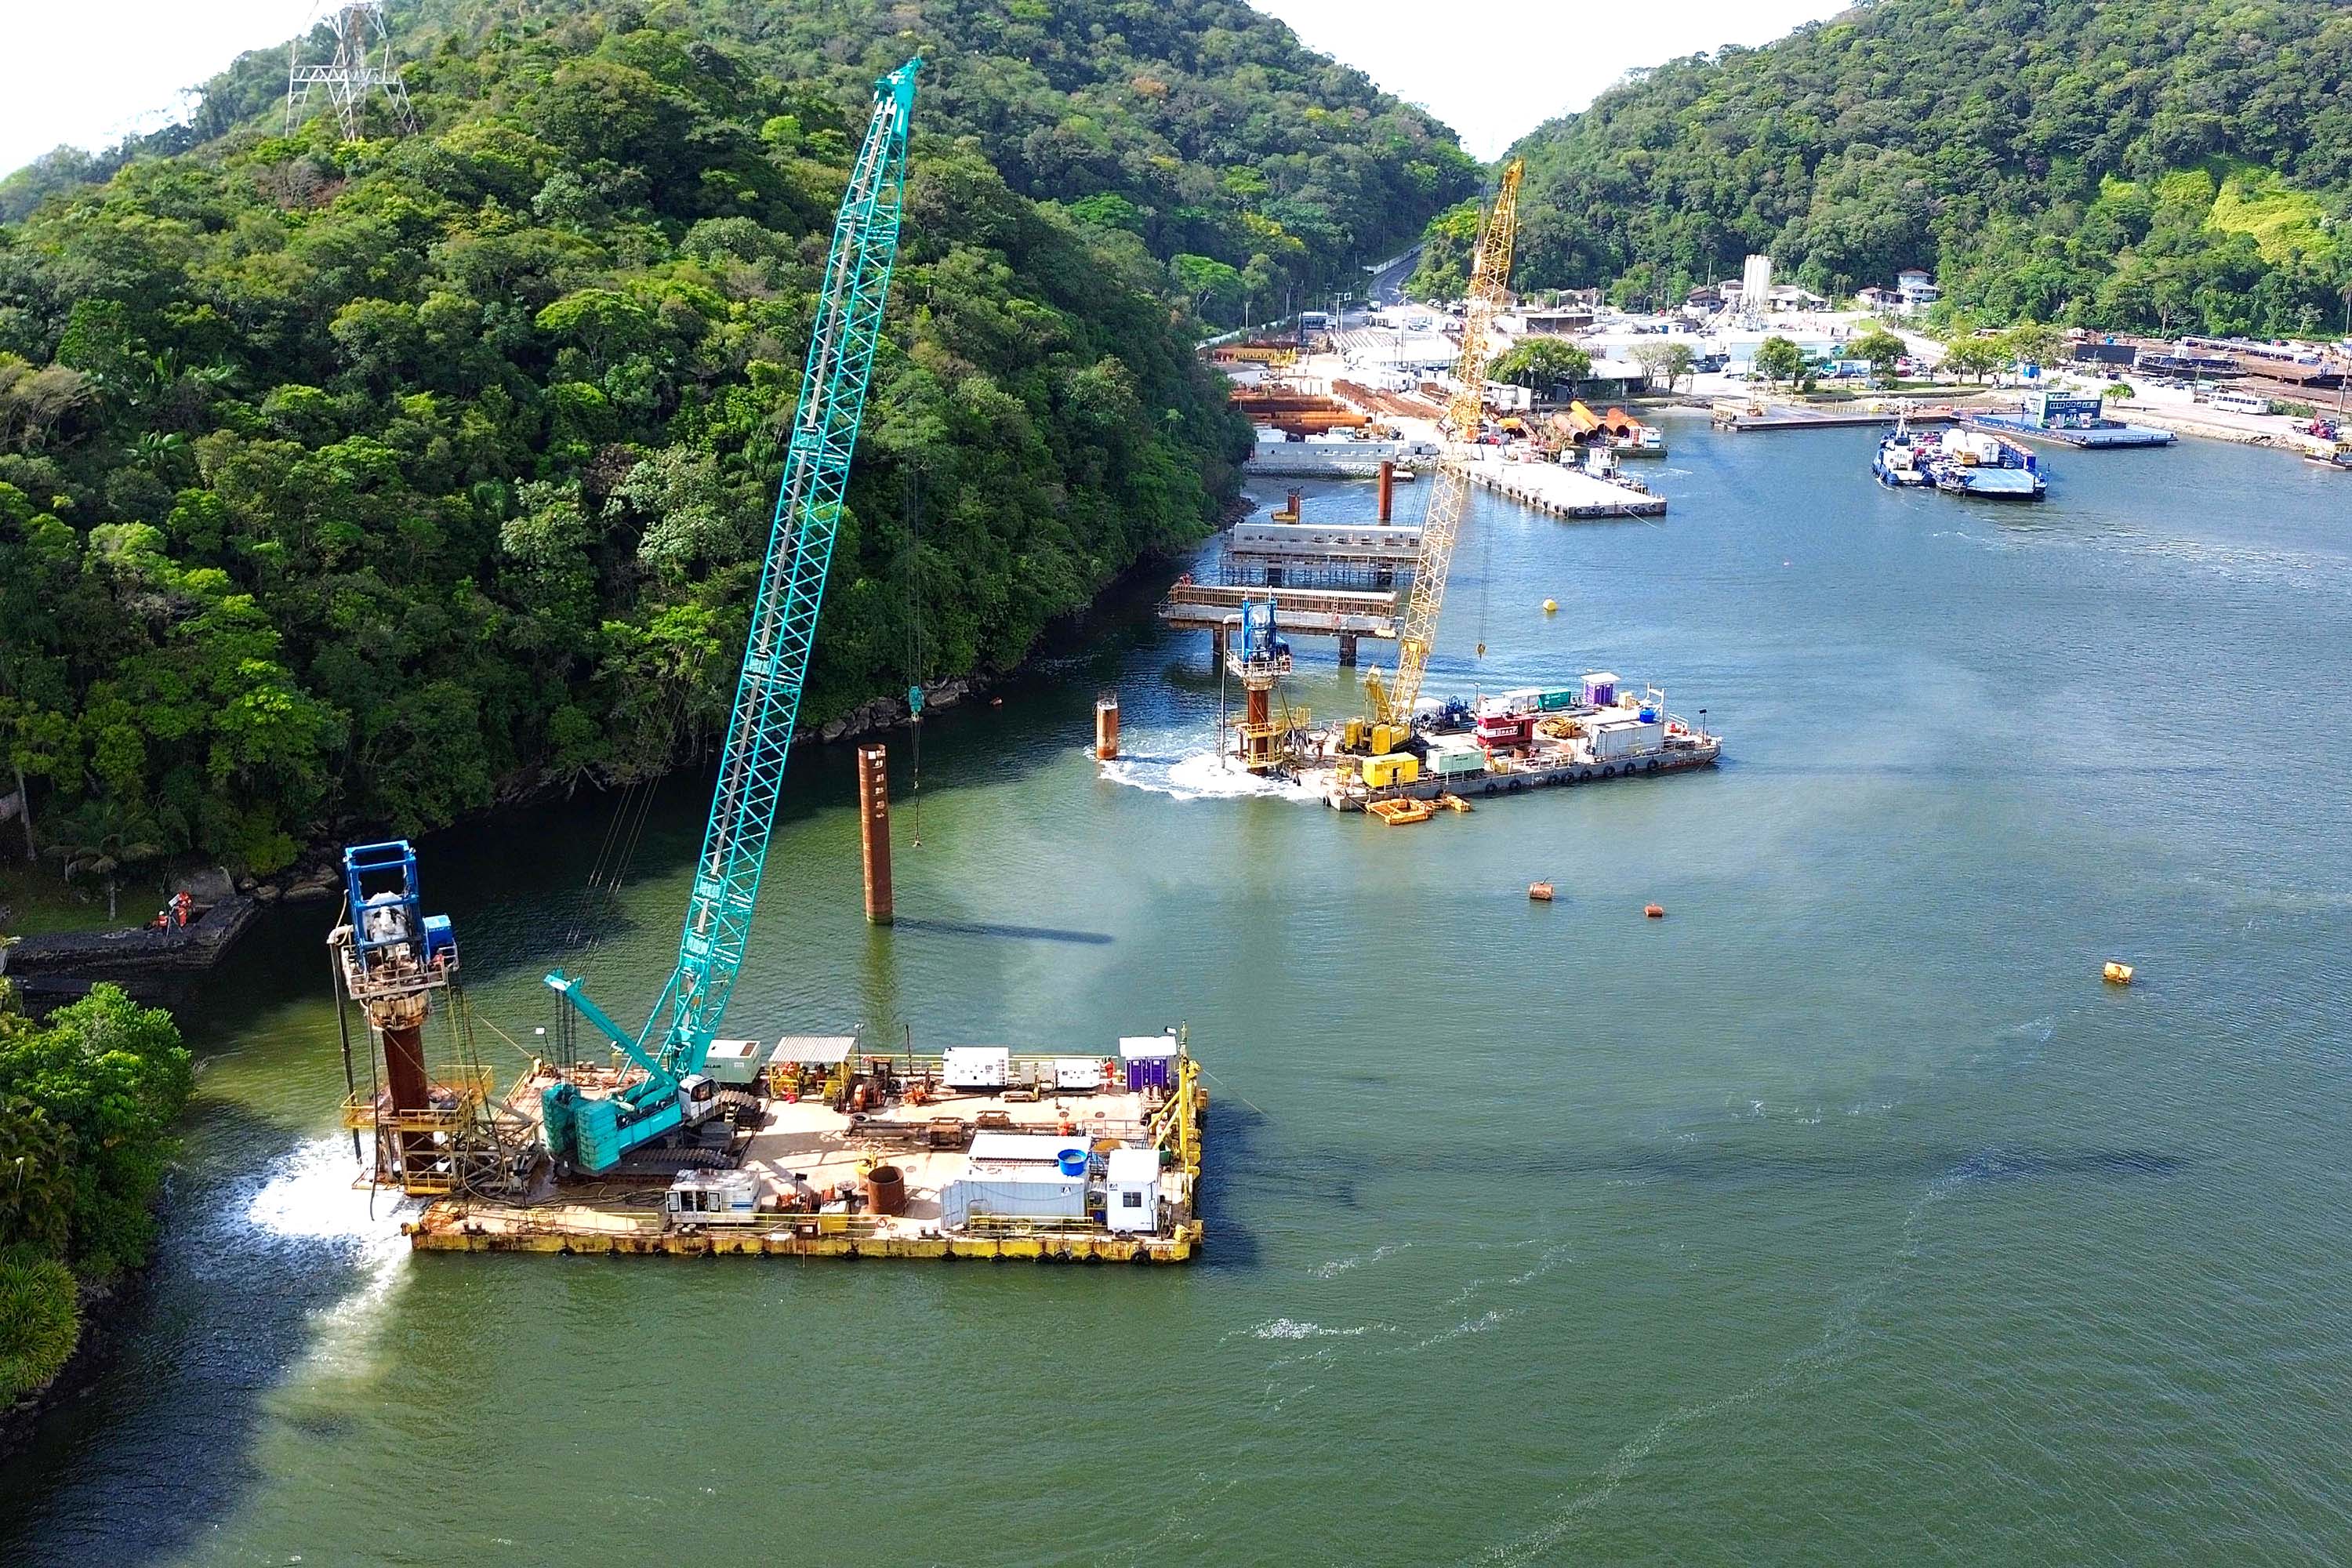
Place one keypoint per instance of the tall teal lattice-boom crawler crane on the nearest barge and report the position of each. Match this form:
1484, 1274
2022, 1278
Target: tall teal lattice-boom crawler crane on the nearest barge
596, 1132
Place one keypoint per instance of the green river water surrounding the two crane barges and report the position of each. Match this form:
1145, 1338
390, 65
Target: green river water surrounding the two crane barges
1840, 1217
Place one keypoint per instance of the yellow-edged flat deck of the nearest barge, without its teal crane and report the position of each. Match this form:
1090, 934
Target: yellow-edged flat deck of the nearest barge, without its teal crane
1071, 1160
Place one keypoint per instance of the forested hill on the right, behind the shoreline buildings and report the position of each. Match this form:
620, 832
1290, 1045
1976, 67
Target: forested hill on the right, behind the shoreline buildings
2163, 163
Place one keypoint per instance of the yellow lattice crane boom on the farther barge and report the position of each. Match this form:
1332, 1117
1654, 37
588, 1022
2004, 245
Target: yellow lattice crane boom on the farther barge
1394, 699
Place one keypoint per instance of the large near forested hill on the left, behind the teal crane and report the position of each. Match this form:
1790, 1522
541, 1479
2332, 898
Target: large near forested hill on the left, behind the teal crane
380, 481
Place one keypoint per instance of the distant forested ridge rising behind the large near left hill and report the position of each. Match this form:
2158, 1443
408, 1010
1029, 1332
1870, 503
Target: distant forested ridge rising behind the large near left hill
1257, 170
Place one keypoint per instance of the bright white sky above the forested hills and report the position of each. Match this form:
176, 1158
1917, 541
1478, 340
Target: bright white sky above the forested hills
91, 72
